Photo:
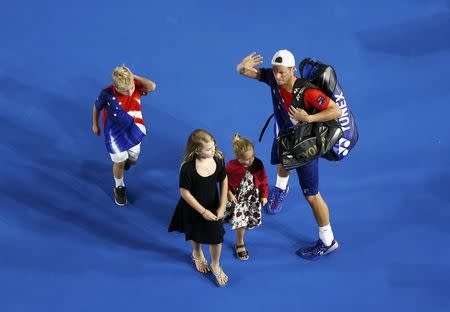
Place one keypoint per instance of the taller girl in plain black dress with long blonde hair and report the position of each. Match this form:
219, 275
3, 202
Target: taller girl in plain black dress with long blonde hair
200, 210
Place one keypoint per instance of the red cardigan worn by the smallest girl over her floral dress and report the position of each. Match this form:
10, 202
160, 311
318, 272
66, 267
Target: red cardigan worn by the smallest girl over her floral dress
236, 172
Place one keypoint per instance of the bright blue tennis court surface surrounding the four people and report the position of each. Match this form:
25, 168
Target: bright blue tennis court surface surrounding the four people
65, 245
